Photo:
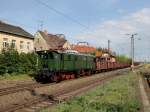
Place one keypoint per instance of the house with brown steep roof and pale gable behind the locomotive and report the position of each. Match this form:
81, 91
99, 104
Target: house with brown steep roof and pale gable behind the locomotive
45, 41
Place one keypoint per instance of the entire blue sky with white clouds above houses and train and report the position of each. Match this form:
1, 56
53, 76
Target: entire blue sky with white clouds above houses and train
93, 21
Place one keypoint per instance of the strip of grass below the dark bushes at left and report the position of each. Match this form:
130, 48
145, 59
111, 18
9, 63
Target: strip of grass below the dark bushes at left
14, 77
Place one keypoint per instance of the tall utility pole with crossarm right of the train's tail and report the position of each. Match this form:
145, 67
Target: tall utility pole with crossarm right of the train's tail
132, 49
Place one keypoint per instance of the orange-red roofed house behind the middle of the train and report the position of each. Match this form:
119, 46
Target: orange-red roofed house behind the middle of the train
84, 48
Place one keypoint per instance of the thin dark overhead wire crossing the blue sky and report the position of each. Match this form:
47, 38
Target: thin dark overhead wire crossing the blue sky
62, 14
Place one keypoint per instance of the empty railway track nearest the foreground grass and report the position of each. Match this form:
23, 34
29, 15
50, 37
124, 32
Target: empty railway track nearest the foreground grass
62, 94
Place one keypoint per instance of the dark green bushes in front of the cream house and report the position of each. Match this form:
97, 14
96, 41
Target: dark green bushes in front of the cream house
11, 62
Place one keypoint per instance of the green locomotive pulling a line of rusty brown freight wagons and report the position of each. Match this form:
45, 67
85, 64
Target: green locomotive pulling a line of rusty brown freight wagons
56, 66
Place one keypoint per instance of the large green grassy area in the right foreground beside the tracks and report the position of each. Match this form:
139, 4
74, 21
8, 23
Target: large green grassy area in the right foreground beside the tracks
117, 95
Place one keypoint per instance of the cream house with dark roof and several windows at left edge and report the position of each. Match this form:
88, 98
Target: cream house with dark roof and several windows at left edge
15, 37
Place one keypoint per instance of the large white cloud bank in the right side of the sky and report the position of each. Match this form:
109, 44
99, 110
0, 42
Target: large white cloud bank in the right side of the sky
115, 30
